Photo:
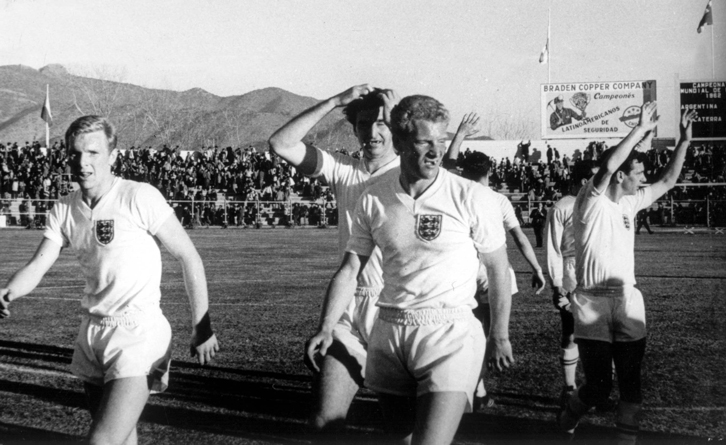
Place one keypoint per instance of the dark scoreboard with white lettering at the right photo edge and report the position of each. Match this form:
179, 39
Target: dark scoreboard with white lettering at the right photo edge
709, 99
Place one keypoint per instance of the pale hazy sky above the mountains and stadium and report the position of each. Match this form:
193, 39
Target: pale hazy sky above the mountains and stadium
478, 55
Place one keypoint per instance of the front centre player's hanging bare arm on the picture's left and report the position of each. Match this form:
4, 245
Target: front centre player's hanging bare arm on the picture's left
340, 292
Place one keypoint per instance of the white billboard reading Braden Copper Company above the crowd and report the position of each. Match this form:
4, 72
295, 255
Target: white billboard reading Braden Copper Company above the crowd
590, 110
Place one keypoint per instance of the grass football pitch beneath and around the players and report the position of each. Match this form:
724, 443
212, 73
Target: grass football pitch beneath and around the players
266, 288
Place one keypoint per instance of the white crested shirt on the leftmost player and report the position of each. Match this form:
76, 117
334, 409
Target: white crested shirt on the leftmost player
114, 244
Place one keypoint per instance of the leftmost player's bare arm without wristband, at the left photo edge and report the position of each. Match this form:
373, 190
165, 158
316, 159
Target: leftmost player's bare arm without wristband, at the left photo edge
27, 277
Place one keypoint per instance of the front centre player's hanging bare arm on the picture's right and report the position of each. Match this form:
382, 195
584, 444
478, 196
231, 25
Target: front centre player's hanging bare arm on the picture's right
498, 351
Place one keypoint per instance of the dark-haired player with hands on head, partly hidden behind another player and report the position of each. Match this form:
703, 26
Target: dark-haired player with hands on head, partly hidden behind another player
339, 369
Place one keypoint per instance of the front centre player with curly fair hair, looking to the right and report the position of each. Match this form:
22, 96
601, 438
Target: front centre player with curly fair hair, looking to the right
426, 348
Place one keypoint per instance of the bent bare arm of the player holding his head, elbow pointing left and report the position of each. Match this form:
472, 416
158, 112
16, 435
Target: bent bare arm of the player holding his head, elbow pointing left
287, 141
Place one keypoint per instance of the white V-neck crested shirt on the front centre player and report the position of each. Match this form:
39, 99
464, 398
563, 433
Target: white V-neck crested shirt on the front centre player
429, 245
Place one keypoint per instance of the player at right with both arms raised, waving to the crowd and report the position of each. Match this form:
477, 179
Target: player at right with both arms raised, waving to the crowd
608, 309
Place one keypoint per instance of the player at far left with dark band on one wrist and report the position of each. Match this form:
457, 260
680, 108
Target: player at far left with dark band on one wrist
123, 349
